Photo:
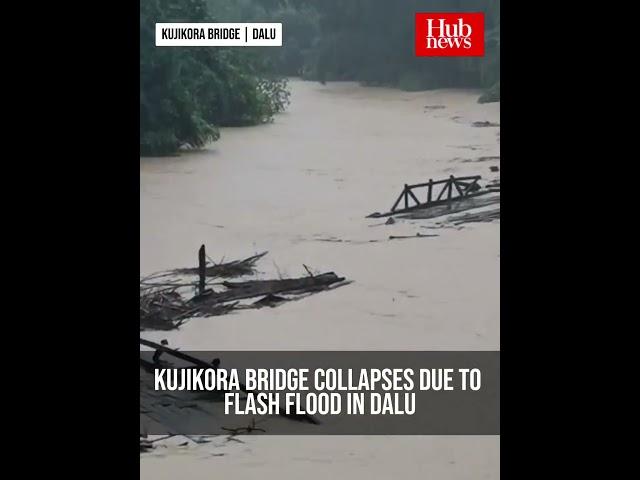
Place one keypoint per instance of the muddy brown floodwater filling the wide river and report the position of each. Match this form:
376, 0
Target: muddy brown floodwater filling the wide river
301, 188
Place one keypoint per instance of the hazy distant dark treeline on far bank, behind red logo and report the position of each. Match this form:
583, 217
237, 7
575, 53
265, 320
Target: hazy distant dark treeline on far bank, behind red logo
370, 41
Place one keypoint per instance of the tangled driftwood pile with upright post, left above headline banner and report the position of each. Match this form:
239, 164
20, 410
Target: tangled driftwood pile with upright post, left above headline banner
168, 299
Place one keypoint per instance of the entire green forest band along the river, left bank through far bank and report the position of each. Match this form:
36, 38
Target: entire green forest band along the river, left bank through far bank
187, 93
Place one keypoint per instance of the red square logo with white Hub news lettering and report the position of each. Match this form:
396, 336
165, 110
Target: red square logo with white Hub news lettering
449, 34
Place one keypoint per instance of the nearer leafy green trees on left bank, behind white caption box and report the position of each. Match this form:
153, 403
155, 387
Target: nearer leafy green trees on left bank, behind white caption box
187, 93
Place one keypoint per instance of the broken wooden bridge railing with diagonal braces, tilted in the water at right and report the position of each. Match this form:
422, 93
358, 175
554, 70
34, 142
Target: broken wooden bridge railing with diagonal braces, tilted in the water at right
438, 193
